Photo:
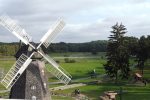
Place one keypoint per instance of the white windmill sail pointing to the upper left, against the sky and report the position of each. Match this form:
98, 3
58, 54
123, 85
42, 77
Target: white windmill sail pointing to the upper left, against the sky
11, 25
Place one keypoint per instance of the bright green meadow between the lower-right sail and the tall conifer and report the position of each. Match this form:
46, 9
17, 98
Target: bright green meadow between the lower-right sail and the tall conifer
83, 66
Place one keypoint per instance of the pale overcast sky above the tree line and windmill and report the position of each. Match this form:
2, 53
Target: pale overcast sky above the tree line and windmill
86, 20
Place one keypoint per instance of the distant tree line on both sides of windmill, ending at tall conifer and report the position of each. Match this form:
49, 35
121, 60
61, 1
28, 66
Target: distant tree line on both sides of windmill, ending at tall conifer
9, 49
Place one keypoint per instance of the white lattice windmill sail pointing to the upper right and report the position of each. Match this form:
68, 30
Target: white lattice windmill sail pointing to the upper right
52, 33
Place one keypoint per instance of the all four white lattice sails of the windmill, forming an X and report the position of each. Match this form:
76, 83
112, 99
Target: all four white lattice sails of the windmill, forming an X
21, 64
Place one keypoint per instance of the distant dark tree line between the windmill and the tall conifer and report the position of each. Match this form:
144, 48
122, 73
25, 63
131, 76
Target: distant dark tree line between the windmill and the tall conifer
93, 46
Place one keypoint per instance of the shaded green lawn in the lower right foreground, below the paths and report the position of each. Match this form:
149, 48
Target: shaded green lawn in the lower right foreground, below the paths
94, 91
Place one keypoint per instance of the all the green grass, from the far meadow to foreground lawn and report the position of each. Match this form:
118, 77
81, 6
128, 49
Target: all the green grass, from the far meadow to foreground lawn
82, 67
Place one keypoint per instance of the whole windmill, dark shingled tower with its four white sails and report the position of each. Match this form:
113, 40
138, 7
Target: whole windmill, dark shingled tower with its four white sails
26, 78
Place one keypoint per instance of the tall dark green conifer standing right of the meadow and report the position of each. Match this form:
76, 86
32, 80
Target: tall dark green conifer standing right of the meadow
117, 54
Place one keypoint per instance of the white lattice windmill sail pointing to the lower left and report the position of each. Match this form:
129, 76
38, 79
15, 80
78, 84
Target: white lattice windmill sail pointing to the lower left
16, 70
